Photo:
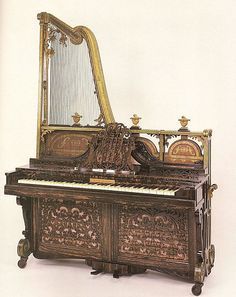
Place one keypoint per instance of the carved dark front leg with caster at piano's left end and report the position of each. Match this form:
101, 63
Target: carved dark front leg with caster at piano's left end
24, 248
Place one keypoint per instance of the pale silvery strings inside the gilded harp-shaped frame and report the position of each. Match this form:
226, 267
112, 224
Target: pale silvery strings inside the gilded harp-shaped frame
72, 87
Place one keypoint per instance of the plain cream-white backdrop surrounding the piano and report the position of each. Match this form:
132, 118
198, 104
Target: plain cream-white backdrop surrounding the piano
161, 60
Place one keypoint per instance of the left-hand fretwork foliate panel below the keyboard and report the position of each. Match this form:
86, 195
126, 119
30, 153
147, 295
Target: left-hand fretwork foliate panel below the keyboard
71, 224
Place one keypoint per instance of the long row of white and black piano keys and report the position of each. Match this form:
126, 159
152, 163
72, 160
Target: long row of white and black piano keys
108, 187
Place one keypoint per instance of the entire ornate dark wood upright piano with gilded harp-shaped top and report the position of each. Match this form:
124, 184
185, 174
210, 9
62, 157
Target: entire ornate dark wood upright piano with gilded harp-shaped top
124, 199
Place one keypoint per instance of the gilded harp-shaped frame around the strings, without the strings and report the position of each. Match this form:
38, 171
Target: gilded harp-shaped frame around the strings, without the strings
76, 35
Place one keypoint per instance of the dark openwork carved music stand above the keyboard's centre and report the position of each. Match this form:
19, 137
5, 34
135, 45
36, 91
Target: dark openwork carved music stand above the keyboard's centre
111, 148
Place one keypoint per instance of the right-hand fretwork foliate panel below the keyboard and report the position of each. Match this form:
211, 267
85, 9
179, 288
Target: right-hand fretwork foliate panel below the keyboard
151, 232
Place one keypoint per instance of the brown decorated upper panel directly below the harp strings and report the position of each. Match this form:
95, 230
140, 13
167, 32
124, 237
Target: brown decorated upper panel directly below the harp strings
66, 144
